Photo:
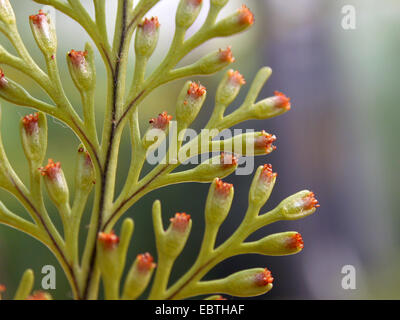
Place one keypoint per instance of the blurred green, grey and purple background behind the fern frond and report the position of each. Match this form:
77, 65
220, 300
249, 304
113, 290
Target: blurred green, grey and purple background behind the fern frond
340, 140
